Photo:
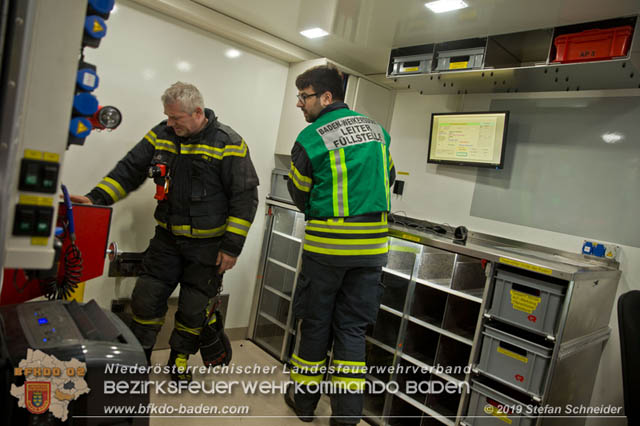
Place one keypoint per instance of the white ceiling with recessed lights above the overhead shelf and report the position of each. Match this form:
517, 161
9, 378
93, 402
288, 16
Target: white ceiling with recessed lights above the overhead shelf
364, 31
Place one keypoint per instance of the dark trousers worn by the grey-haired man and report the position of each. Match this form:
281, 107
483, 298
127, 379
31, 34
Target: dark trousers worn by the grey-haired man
170, 260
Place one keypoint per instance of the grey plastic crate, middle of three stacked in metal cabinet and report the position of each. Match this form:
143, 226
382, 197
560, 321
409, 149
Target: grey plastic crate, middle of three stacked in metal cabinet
514, 360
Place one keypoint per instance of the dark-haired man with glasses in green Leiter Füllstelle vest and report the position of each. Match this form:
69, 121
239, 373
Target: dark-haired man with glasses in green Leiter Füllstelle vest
341, 173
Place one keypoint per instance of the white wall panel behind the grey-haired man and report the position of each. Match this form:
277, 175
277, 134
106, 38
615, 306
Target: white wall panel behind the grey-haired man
144, 53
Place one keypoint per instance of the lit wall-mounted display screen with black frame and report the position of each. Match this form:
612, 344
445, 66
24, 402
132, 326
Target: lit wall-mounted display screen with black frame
468, 139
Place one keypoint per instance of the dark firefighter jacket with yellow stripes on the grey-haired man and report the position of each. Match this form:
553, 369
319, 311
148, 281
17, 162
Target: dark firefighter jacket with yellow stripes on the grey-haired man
212, 189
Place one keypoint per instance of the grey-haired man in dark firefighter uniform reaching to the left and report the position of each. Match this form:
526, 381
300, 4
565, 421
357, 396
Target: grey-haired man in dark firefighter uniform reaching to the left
207, 199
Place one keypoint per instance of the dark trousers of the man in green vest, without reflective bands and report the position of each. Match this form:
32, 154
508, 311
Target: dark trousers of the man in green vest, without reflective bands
333, 306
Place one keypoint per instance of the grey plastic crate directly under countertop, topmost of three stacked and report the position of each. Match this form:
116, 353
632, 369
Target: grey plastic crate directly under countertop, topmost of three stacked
527, 302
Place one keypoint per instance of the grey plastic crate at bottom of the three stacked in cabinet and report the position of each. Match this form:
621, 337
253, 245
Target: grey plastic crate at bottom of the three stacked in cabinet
488, 407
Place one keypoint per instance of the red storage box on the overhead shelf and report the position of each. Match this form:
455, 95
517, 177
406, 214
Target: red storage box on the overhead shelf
593, 45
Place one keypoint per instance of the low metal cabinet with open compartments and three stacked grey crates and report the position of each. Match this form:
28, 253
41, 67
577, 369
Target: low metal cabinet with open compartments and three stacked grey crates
463, 331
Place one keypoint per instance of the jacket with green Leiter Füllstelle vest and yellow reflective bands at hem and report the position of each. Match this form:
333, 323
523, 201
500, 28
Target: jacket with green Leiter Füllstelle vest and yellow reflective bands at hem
340, 176
